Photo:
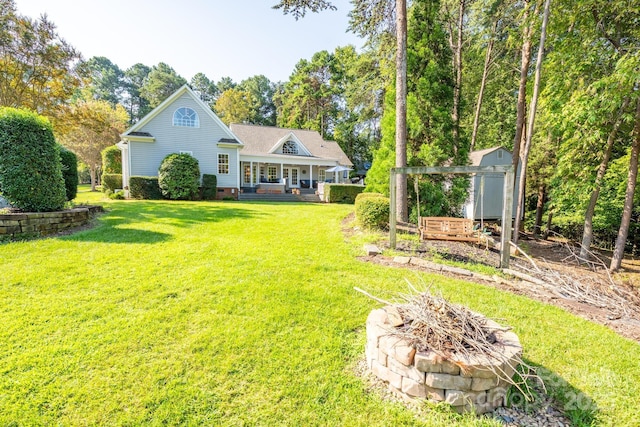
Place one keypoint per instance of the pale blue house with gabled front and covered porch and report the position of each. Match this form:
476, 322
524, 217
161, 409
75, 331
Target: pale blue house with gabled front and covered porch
248, 157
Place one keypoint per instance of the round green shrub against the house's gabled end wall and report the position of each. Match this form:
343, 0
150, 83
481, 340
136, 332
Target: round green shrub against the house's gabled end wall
179, 177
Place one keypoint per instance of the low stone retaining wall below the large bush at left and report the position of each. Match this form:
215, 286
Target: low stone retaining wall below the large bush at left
45, 223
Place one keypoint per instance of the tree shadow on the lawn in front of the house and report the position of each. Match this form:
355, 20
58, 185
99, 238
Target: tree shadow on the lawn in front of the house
119, 224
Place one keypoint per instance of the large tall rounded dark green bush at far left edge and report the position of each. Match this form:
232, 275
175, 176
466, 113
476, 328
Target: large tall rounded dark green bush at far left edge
30, 167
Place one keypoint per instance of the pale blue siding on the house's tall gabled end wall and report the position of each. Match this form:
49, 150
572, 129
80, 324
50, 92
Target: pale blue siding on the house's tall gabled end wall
202, 142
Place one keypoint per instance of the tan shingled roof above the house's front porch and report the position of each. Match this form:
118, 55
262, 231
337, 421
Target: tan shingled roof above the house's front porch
261, 141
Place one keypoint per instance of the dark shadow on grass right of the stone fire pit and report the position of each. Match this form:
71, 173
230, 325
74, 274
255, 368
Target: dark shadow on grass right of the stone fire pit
573, 403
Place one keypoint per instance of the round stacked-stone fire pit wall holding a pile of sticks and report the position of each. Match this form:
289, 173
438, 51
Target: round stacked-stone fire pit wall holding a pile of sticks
467, 384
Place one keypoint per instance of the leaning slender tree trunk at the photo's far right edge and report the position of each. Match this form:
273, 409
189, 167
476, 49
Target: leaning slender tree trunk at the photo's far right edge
623, 232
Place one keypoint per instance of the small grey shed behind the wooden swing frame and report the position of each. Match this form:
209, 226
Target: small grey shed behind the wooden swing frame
486, 191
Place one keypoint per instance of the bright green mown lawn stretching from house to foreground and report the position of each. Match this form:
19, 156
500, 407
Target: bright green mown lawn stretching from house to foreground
228, 313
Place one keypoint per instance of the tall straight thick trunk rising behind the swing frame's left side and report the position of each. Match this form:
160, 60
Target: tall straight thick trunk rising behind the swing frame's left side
401, 108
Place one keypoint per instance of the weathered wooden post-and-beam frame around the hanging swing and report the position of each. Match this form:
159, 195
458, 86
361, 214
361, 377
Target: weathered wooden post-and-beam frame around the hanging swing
507, 205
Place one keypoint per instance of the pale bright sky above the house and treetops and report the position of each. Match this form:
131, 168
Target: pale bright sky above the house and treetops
235, 38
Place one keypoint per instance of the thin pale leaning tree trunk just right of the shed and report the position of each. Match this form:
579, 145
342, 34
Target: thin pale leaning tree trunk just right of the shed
532, 118
